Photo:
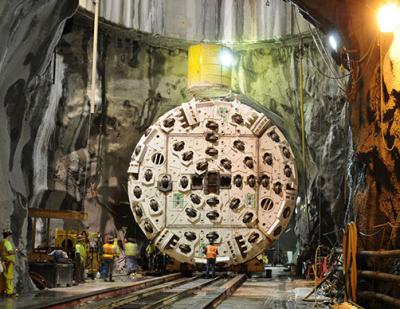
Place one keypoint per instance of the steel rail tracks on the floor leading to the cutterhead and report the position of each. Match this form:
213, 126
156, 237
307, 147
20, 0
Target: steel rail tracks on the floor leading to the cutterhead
171, 291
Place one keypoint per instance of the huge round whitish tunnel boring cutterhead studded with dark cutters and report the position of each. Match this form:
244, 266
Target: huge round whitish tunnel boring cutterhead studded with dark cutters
213, 171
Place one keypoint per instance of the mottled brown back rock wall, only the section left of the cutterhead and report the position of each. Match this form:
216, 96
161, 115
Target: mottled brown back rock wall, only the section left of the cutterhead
136, 83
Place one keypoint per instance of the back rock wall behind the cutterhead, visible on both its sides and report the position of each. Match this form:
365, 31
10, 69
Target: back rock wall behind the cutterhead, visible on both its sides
139, 80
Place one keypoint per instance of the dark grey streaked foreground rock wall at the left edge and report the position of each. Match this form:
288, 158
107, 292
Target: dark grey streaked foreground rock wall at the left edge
29, 31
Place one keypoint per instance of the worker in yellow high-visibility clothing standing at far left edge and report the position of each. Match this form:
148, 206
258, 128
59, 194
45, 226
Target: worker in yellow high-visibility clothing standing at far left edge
7, 252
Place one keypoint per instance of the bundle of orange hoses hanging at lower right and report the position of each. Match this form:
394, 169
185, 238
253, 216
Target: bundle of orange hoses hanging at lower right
350, 262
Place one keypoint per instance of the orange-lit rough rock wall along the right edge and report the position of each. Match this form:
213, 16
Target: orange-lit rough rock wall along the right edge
374, 176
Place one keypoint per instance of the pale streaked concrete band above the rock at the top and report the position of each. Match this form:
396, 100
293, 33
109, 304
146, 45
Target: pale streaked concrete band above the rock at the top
205, 20
